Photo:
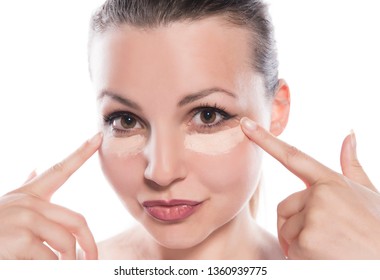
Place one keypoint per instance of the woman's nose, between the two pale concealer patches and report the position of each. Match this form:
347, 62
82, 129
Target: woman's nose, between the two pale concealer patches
165, 161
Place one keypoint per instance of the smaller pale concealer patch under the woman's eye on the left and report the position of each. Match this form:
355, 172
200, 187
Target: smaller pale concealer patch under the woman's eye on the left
124, 146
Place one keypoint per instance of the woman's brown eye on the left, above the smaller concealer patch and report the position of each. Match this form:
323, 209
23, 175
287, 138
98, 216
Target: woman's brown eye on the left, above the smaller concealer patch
123, 123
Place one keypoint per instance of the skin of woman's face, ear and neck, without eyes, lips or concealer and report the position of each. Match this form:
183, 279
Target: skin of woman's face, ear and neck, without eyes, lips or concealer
178, 61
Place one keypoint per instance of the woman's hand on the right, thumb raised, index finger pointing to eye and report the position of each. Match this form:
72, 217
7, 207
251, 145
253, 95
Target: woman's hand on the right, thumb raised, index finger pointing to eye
337, 216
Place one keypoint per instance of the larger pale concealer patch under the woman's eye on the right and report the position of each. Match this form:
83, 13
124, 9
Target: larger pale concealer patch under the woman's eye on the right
221, 142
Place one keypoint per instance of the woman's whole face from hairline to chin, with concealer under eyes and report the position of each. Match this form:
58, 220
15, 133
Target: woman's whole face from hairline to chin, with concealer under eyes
170, 100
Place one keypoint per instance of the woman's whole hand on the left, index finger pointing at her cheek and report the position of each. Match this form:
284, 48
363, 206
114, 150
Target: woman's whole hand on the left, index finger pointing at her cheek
29, 221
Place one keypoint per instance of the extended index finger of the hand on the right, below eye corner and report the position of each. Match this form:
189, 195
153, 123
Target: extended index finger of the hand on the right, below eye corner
300, 164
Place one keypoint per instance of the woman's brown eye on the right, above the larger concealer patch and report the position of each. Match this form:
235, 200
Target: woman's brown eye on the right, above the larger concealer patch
209, 117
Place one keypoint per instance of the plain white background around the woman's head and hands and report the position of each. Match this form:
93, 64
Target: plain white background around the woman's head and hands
329, 55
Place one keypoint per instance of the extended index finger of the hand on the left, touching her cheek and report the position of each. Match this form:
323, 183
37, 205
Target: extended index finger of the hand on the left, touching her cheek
51, 180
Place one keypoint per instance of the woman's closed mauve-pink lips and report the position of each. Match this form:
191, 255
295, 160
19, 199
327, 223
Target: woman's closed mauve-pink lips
172, 210
